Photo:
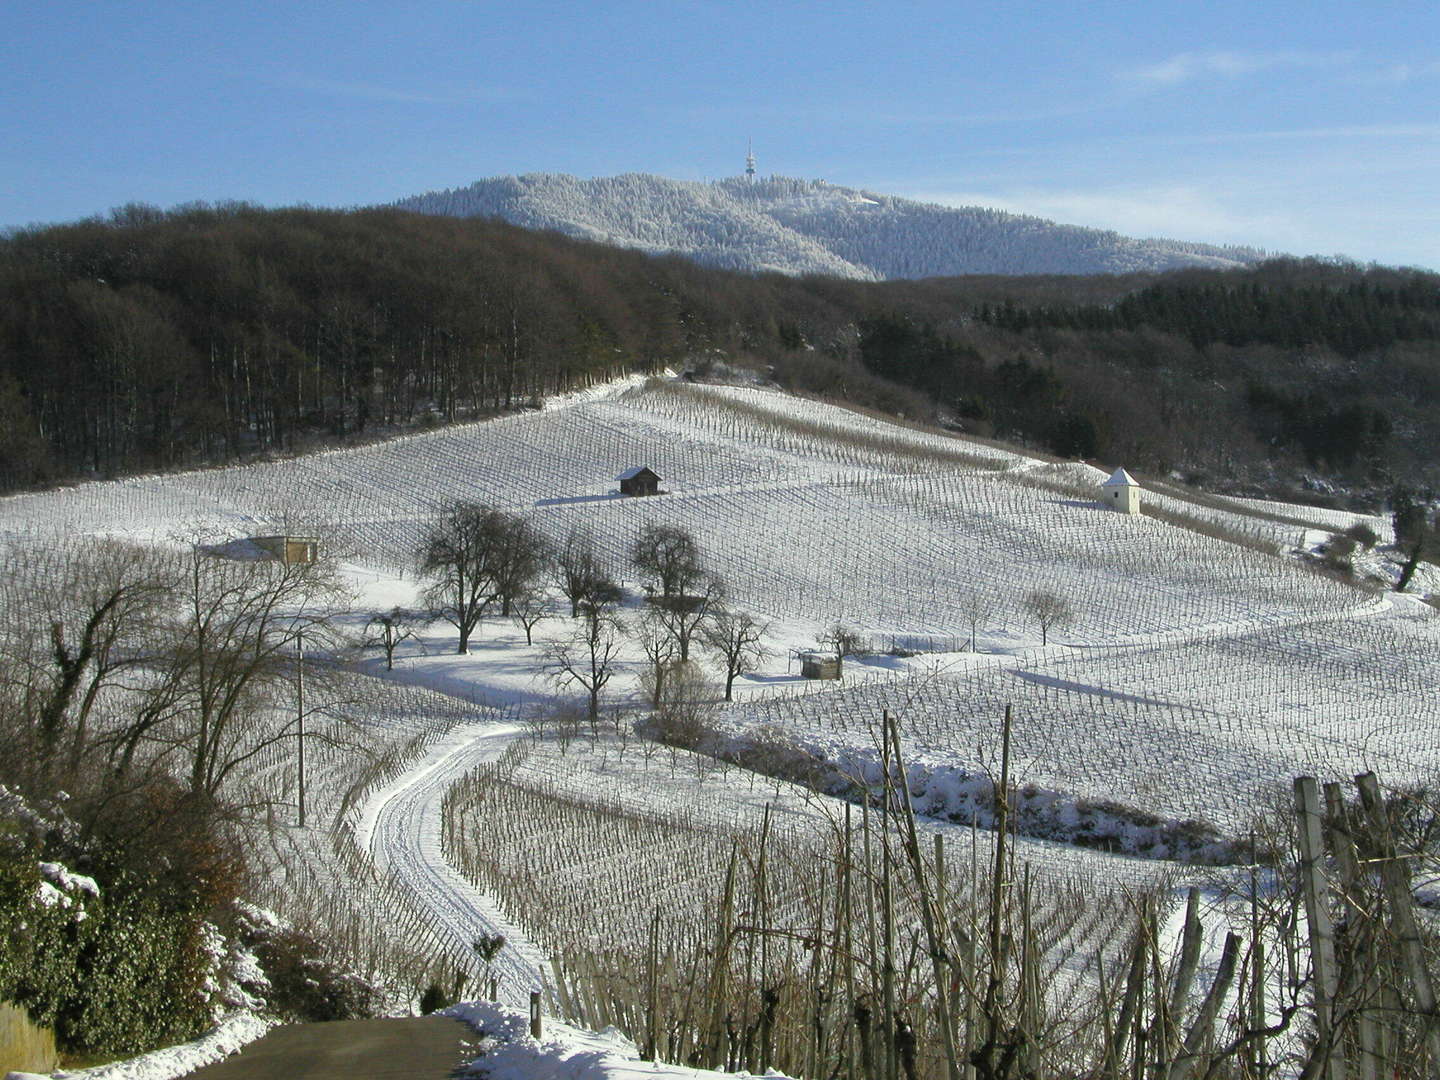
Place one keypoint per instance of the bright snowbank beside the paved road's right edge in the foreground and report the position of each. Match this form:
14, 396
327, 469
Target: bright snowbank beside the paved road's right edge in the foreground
562, 1052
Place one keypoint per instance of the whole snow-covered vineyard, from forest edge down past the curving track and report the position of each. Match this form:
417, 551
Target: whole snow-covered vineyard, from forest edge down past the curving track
1202, 669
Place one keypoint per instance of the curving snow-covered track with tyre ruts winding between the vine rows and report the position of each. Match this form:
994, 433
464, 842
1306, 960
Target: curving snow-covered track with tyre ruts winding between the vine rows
401, 829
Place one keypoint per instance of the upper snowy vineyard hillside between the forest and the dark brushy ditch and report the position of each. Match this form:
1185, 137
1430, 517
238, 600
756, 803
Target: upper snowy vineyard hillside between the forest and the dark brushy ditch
1252, 666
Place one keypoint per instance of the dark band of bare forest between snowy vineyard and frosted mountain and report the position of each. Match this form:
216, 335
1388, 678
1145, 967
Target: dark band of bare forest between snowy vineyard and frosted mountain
207, 335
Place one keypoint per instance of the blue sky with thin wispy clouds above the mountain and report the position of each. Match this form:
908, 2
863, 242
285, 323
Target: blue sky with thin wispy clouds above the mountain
1301, 127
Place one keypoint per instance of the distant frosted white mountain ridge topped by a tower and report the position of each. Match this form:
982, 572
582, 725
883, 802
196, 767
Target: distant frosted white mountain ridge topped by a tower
811, 227
